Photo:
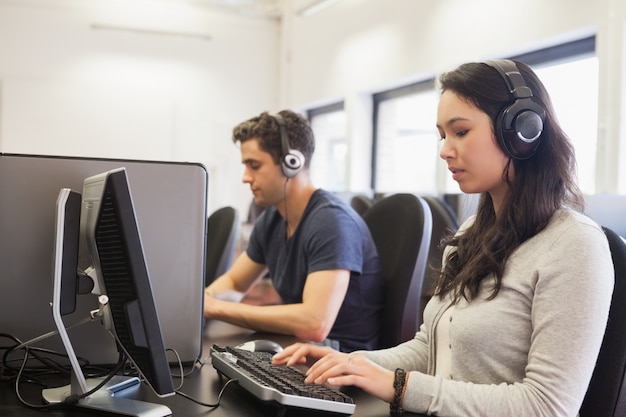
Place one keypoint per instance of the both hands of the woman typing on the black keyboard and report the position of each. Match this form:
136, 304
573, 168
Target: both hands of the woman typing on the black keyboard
336, 368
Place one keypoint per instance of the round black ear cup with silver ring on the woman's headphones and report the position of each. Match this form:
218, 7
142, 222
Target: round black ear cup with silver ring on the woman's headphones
519, 128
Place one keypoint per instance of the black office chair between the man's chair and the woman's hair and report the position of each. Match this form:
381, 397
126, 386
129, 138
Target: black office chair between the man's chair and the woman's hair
445, 222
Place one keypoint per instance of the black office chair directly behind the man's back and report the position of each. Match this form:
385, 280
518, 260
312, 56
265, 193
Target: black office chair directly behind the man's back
401, 226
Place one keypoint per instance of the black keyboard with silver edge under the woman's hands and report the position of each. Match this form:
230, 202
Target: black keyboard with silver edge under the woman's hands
281, 384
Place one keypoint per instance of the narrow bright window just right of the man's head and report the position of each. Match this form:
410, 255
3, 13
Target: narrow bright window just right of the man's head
330, 160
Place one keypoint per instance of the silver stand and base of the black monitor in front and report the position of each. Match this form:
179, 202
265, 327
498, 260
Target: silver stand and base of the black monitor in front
109, 398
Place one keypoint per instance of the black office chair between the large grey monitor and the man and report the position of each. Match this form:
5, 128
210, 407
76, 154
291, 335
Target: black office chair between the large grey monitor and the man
222, 231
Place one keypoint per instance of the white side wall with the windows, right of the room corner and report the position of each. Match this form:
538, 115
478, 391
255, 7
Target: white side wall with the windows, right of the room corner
362, 46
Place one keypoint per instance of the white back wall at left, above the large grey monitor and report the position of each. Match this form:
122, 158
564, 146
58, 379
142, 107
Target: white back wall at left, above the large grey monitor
69, 89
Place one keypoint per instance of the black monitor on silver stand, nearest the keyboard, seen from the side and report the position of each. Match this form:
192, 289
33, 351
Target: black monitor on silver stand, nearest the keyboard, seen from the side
109, 234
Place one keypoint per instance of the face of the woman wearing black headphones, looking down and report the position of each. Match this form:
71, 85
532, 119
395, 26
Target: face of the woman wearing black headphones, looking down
474, 158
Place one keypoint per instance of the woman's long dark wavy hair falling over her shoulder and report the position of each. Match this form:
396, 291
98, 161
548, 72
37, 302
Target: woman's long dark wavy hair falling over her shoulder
541, 185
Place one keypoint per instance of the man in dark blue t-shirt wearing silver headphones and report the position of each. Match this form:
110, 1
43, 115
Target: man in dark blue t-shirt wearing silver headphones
318, 251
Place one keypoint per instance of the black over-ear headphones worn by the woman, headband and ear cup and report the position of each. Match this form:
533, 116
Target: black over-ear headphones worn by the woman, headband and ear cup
520, 124
